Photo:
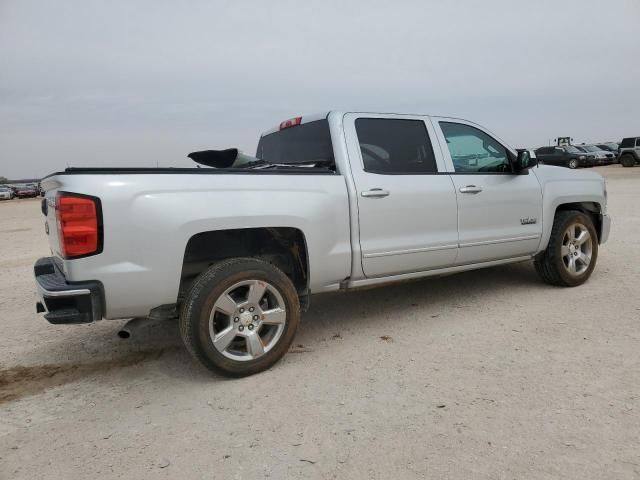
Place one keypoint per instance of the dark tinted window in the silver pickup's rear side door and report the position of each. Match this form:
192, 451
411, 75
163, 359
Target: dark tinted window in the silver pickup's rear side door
395, 146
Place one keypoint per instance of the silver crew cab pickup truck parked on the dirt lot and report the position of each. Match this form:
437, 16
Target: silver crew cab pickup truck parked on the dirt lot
334, 201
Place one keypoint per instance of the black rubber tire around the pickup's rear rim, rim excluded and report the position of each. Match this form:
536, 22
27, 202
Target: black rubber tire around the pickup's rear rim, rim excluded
200, 301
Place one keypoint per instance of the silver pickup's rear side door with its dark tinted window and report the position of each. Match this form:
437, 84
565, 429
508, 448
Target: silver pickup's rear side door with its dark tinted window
407, 211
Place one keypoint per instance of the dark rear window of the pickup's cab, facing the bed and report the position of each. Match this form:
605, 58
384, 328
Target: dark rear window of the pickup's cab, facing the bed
303, 143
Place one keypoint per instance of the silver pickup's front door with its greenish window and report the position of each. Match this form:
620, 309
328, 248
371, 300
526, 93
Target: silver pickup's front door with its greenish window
499, 212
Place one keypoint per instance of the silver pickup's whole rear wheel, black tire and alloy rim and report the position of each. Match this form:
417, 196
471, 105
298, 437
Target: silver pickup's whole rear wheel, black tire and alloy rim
240, 316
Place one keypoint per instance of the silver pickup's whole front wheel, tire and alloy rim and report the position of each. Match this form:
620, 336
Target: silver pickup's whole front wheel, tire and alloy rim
572, 251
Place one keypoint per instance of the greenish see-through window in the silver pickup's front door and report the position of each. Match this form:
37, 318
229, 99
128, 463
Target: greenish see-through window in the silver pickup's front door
473, 151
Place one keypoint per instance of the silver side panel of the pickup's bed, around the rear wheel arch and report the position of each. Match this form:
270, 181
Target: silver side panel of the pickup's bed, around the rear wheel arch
151, 217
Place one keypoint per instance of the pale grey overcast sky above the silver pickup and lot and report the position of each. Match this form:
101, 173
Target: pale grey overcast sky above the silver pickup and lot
140, 83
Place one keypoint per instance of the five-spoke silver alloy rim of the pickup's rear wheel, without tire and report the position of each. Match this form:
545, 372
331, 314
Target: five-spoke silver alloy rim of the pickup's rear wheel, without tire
247, 320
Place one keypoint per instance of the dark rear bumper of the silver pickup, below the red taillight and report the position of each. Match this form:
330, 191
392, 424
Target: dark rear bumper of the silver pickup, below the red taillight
65, 302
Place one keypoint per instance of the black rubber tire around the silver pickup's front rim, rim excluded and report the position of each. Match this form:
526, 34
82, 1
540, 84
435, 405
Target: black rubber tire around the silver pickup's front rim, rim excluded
550, 264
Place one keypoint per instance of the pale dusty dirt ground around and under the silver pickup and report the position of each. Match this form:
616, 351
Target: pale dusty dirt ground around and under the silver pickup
488, 374
